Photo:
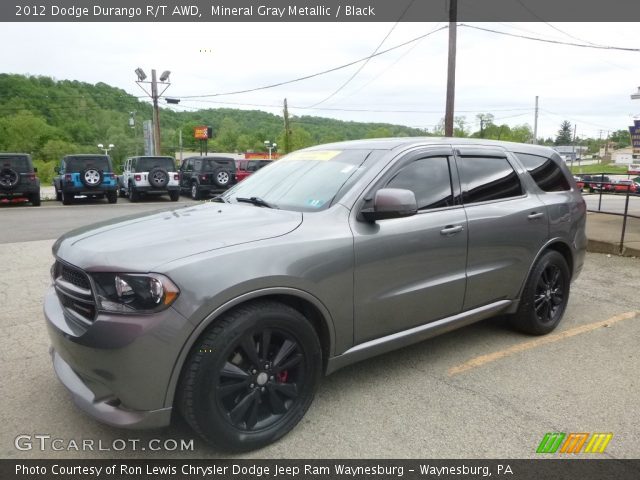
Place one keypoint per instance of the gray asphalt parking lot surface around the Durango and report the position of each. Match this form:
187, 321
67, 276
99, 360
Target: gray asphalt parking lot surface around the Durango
482, 391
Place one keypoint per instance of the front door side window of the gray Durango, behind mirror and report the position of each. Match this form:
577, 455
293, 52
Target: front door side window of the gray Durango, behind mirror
430, 181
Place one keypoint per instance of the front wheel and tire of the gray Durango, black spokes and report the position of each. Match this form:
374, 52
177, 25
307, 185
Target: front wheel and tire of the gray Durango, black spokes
240, 396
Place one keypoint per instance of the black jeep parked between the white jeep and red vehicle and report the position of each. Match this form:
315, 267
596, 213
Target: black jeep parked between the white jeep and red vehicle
201, 176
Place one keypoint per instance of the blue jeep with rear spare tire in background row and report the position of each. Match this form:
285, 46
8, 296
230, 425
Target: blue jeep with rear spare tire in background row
88, 175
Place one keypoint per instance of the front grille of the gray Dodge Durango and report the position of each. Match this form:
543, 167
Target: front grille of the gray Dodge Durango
74, 292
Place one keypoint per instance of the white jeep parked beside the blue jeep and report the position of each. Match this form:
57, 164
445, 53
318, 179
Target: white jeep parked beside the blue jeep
149, 176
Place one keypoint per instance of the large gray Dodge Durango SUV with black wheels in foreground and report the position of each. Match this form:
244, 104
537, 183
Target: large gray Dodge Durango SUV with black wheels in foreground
231, 311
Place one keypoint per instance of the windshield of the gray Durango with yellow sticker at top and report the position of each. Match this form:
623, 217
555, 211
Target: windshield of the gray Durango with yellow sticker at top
302, 181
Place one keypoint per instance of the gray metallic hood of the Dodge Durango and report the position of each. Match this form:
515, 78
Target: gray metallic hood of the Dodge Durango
142, 242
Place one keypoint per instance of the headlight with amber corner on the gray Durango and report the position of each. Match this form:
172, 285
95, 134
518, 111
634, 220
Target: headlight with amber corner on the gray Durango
134, 293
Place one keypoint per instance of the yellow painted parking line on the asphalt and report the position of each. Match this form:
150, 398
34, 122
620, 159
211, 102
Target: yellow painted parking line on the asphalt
538, 342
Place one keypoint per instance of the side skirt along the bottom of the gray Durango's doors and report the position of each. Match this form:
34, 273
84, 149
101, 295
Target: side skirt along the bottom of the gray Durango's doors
397, 340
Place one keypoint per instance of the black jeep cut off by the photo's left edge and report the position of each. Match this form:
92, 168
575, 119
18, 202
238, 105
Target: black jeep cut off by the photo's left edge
18, 178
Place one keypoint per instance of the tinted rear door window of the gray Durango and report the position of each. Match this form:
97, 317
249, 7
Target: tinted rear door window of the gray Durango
488, 178
